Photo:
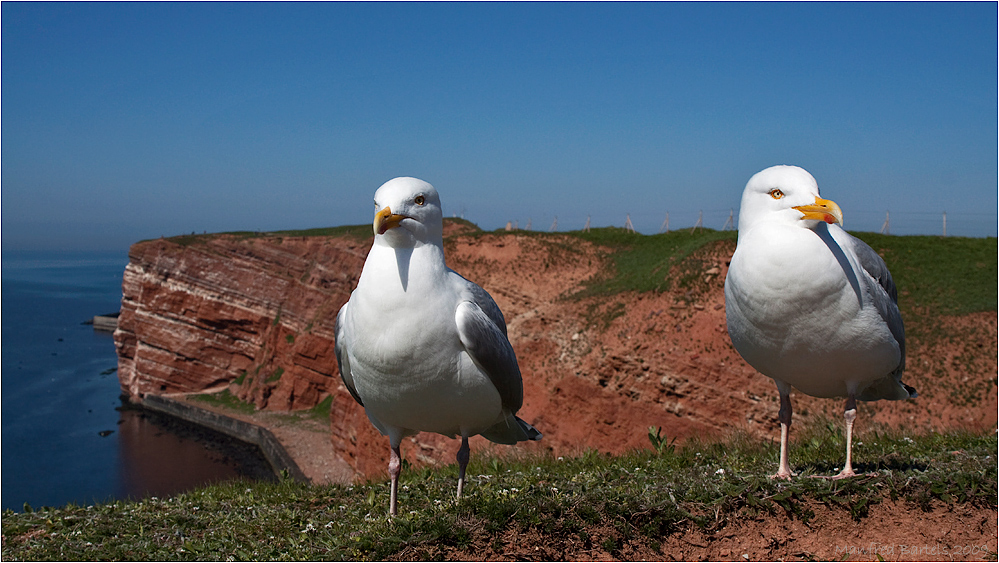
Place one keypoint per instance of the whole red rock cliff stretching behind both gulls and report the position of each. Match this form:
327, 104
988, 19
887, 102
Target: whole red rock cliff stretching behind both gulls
255, 315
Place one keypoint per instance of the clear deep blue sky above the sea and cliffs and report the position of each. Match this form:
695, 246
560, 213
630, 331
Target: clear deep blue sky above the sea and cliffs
127, 121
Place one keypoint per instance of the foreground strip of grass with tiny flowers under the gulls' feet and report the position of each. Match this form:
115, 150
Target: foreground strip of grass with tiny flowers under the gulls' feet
642, 496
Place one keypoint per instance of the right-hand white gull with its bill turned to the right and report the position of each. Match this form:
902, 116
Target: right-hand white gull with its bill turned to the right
809, 305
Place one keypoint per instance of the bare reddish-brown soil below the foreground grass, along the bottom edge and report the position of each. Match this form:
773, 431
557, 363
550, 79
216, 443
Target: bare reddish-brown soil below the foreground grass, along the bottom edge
890, 532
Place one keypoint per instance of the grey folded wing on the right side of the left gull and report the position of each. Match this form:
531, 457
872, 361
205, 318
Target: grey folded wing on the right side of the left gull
483, 333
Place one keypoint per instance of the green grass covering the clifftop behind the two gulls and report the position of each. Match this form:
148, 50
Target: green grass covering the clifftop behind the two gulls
935, 275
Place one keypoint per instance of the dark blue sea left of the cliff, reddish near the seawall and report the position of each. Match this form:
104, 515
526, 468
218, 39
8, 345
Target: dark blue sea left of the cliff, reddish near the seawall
66, 436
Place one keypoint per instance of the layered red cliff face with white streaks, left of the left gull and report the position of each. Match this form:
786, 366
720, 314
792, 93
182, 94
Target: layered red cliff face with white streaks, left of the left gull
258, 313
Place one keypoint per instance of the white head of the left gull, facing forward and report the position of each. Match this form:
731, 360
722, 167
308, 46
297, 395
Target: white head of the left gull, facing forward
407, 213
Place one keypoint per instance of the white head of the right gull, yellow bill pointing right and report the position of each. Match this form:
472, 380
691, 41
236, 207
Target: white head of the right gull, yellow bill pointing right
787, 194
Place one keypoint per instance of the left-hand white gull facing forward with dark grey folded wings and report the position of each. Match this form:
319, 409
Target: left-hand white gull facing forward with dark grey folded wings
420, 347
